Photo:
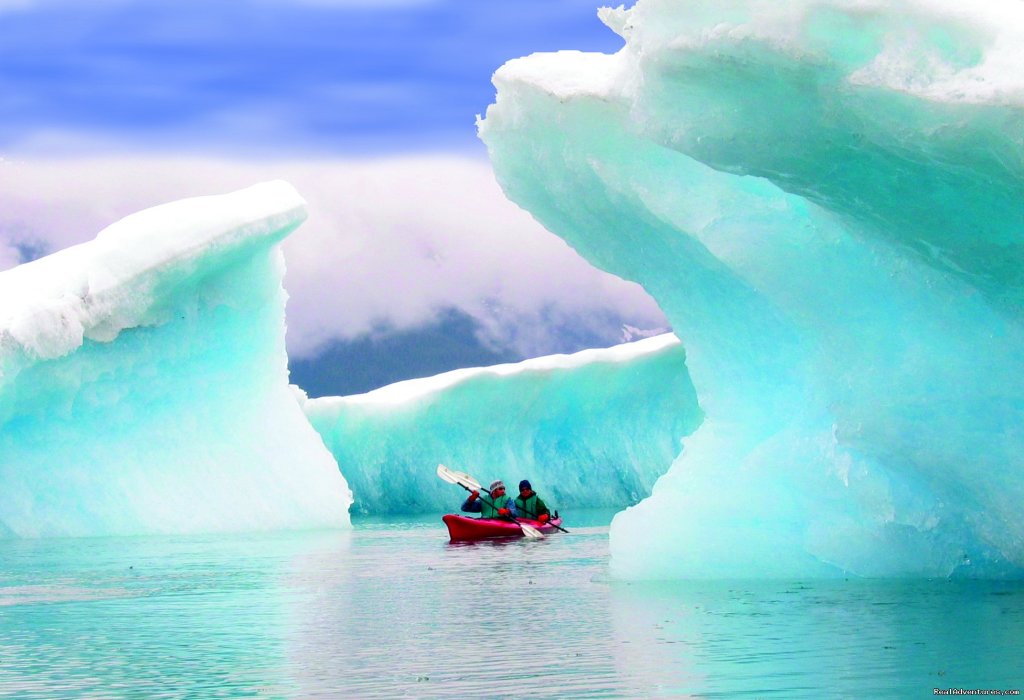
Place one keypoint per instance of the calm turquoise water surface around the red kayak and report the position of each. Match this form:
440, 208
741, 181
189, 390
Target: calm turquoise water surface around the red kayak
392, 609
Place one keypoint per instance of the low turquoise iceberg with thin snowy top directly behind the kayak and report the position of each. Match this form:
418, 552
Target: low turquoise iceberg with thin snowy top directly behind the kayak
594, 429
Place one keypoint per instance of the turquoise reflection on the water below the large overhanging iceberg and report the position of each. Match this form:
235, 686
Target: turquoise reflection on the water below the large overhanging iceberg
825, 639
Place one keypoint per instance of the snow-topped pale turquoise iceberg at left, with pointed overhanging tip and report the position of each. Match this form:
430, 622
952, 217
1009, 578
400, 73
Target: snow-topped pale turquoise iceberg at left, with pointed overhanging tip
144, 381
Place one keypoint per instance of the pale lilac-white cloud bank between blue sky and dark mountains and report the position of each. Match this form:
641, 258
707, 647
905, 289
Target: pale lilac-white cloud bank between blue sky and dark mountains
389, 242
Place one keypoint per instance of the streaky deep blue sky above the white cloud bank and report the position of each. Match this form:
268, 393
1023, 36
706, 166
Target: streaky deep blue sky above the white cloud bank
245, 77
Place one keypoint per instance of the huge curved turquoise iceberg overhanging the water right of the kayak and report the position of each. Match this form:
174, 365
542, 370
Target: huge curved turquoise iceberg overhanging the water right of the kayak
826, 198
